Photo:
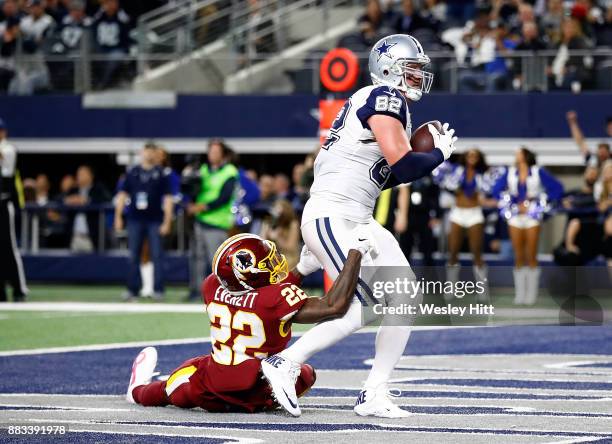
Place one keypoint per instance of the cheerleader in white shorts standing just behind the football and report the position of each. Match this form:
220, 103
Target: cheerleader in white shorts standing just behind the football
466, 181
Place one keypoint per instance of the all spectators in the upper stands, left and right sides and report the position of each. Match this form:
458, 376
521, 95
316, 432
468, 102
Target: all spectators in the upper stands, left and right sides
483, 35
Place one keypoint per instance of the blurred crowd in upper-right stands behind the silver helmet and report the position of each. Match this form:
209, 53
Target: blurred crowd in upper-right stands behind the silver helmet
485, 34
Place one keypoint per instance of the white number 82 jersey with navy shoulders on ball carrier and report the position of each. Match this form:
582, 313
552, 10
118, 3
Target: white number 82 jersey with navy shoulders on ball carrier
350, 170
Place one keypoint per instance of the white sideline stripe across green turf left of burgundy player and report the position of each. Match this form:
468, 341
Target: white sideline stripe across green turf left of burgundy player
109, 307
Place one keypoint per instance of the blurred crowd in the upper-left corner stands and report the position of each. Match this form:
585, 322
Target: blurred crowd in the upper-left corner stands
36, 29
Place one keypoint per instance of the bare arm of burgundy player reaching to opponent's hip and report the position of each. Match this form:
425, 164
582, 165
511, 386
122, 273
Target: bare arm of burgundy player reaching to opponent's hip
338, 299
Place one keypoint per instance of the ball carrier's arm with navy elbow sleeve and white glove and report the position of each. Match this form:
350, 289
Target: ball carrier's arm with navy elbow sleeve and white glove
406, 165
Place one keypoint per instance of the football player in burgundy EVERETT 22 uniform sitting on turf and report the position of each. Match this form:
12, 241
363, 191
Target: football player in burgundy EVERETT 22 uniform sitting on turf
251, 300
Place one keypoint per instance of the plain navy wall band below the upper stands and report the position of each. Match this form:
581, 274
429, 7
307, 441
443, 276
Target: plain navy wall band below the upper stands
194, 117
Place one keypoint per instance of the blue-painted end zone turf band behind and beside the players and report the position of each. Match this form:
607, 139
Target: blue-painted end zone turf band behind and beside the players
107, 371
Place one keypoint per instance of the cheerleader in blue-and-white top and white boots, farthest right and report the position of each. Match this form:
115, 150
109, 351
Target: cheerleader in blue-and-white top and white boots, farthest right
525, 193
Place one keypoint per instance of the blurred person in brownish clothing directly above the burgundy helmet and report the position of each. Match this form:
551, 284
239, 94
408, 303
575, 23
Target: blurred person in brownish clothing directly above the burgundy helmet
283, 228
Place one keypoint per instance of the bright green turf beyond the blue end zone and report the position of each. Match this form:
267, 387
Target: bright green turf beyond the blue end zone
80, 326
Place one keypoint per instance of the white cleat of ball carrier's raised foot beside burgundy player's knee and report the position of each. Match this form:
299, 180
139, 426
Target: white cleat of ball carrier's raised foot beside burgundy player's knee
281, 374
